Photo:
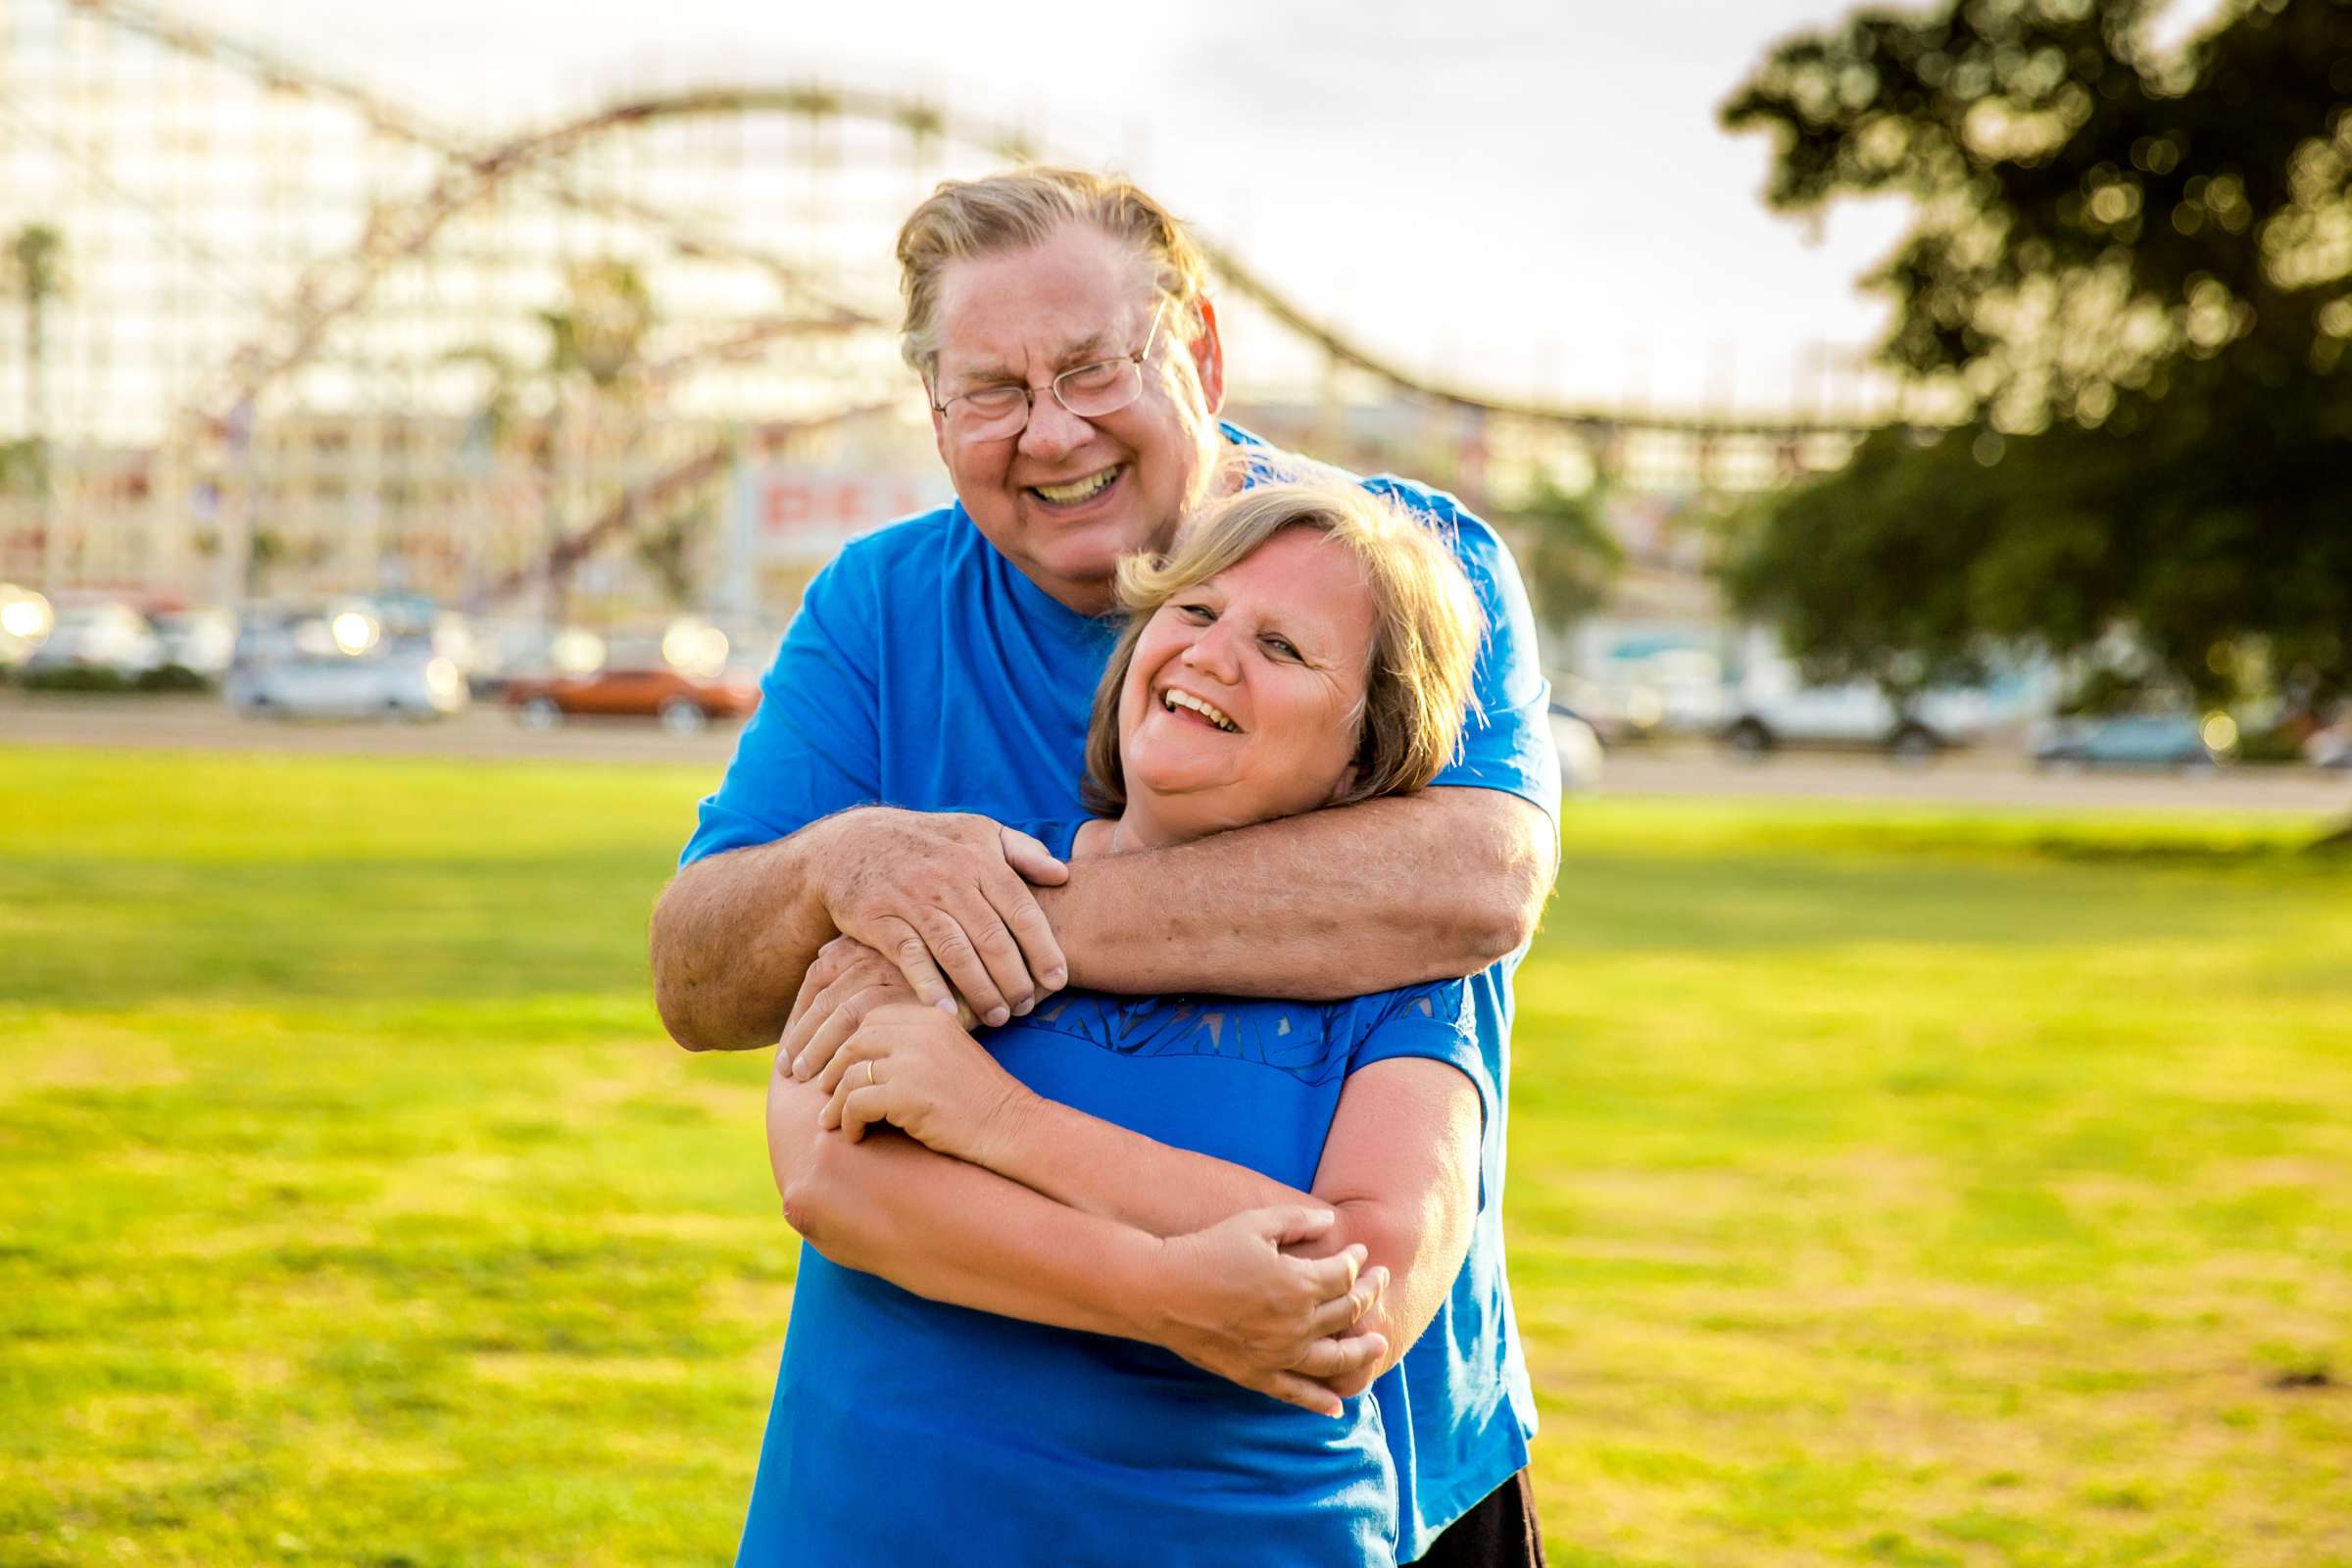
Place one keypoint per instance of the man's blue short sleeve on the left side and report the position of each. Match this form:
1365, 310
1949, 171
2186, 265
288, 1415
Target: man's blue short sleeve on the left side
813, 746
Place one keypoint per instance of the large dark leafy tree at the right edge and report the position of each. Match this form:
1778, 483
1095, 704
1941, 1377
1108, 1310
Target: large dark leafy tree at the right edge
2127, 290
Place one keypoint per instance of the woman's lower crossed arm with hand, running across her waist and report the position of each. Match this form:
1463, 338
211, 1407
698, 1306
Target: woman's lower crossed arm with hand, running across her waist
1231, 1296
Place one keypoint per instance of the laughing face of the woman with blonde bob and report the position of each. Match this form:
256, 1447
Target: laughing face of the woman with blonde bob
1245, 692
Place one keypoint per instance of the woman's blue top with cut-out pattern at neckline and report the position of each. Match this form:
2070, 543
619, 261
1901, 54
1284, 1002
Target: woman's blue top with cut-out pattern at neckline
907, 1430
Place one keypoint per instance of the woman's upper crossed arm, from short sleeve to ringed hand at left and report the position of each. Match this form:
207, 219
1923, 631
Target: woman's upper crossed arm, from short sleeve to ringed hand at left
1398, 1167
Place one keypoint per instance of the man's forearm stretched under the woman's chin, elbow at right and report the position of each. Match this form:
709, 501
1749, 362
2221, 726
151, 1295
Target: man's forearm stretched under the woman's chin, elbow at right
1321, 906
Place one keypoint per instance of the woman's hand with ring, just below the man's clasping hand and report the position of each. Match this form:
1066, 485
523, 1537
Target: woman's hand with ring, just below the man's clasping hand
918, 1071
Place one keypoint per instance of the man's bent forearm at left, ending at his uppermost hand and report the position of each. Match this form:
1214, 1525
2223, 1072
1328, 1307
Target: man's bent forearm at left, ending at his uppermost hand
730, 942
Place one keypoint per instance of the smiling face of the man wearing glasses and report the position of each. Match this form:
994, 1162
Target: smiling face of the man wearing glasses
1069, 497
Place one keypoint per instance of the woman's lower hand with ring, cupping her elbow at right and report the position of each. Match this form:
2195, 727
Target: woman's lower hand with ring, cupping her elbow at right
1250, 1313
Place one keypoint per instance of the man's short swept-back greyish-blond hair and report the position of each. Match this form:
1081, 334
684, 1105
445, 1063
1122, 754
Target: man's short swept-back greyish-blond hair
1020, 208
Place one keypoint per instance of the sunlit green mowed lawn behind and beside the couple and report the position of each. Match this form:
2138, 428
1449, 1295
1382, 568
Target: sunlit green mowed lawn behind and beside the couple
1887, 1186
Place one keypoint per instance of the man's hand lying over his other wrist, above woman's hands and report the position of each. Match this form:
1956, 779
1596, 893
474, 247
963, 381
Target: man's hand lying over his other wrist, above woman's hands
947, 899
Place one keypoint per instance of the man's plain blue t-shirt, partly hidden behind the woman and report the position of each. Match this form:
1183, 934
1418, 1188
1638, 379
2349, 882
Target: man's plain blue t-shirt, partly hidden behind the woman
926, 671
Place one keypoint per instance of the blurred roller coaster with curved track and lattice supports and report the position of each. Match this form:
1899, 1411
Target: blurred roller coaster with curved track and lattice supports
276, 335
